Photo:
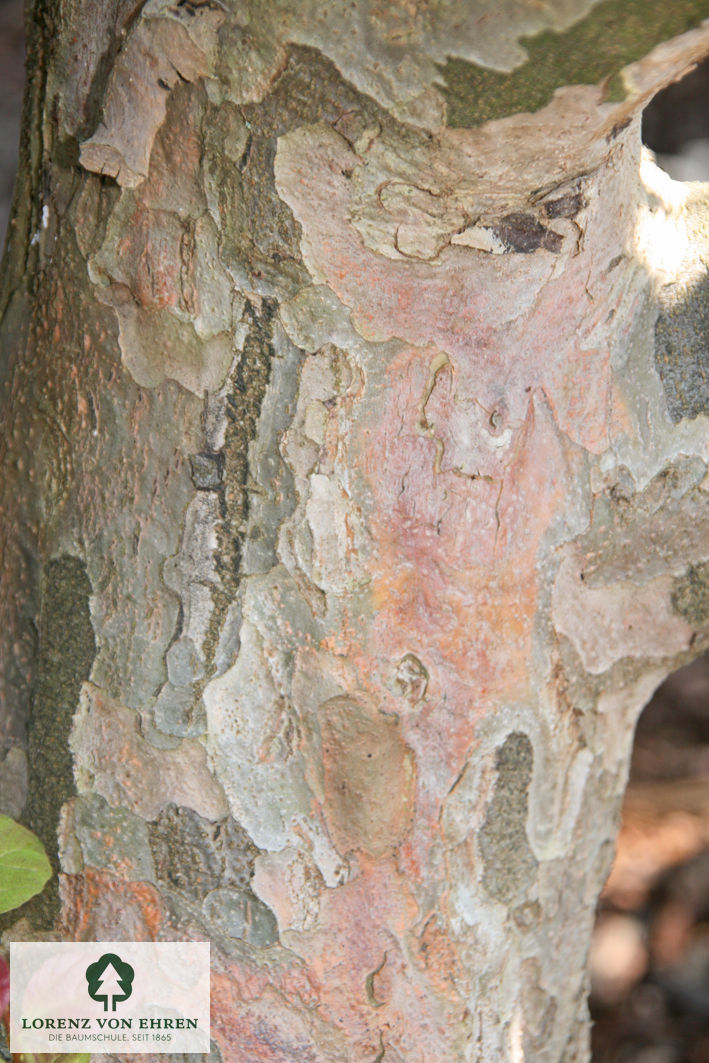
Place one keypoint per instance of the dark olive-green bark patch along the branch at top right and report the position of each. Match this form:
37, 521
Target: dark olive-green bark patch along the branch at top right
595, 50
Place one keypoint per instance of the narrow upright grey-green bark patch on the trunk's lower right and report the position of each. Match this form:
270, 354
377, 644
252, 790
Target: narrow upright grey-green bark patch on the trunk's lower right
510, 863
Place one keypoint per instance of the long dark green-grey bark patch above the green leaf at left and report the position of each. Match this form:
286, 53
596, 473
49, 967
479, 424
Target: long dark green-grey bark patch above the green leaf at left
64, 662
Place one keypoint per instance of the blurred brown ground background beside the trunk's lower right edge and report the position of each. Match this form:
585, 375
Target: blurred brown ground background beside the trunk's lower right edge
650, 957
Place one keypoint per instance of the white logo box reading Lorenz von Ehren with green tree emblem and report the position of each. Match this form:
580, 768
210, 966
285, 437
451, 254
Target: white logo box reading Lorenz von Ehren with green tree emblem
81, 998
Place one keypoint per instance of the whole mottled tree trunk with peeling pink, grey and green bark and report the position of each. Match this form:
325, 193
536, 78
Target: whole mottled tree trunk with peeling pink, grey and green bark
354, 497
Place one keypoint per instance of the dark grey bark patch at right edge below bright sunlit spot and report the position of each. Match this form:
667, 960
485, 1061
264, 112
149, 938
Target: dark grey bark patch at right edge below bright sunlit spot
682, 349
